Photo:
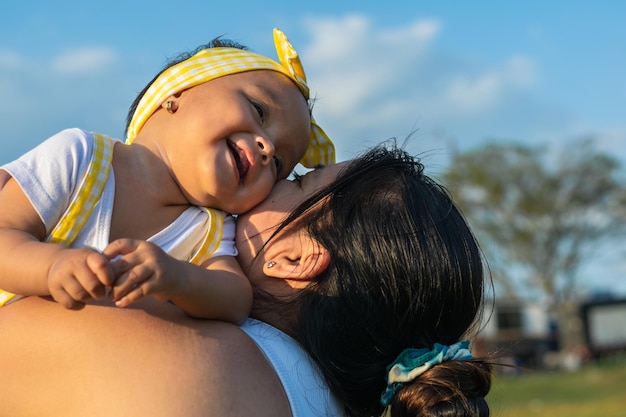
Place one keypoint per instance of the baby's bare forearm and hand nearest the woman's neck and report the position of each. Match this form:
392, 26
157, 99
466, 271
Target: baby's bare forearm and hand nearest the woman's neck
217, 290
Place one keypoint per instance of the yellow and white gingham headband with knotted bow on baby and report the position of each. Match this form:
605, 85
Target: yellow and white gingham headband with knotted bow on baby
212, 63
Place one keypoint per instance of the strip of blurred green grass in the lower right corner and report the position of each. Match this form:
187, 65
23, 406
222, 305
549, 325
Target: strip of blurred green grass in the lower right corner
593, 391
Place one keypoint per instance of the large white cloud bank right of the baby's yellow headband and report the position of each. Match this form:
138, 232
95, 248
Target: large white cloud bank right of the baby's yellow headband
374, 83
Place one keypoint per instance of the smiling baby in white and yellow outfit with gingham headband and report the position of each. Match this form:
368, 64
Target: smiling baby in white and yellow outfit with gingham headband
83, 214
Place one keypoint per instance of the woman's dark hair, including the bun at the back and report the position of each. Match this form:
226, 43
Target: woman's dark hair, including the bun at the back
405, 271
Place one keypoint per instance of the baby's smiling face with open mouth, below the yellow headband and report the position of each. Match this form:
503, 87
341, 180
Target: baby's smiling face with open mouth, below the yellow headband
238, 135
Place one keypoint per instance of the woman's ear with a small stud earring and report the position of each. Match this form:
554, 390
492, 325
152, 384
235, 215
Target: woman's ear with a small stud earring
298, 263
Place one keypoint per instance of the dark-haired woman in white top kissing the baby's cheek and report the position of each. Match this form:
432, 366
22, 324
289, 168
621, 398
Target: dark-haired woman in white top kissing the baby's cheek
372, 258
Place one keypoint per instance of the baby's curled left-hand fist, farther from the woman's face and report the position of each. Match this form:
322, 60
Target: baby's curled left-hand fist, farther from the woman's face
78, 275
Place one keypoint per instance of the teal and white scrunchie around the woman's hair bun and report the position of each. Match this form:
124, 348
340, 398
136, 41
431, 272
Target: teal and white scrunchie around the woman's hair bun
411, 363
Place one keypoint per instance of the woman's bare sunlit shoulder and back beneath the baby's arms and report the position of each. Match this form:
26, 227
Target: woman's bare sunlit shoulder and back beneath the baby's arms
152, 360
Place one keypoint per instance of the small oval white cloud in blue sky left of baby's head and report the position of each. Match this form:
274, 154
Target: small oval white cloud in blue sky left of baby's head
84, 60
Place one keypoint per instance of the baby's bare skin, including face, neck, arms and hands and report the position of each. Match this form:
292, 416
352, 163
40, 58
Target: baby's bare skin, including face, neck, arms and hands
223, 145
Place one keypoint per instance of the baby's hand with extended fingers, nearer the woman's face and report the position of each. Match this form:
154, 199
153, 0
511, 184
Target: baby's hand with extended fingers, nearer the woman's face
142, 269
